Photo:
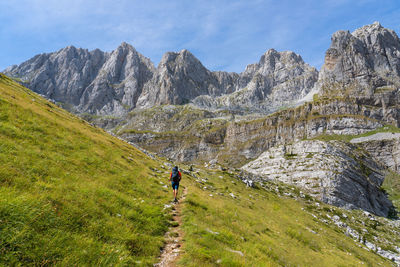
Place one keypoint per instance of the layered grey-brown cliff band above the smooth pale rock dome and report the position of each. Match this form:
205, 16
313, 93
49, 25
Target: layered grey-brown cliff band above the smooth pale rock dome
248, 139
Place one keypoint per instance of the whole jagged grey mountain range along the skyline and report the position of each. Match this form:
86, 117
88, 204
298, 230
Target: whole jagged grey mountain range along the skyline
363, 63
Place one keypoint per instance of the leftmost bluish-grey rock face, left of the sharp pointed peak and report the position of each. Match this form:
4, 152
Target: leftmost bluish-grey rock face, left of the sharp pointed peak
61, 76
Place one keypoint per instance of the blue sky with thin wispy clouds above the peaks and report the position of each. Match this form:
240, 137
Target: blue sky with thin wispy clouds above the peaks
223, 34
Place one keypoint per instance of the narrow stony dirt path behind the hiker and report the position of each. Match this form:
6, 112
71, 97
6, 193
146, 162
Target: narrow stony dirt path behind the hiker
171, 251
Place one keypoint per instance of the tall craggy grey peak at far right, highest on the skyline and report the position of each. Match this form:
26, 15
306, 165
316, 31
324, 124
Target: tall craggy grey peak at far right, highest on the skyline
361, 62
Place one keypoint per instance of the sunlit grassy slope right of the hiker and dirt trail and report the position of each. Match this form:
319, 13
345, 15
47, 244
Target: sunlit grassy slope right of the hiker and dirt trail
269, 230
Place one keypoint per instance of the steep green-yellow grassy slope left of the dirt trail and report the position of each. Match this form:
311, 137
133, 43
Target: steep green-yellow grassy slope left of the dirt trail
71, 194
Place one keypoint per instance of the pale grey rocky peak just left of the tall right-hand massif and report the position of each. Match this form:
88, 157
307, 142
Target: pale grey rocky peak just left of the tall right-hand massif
278, 79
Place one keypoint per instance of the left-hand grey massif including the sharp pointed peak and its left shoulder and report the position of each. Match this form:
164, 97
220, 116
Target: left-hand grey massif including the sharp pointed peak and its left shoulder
88, 81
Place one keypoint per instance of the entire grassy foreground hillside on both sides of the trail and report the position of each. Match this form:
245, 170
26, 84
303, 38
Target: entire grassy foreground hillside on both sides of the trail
71, 194
